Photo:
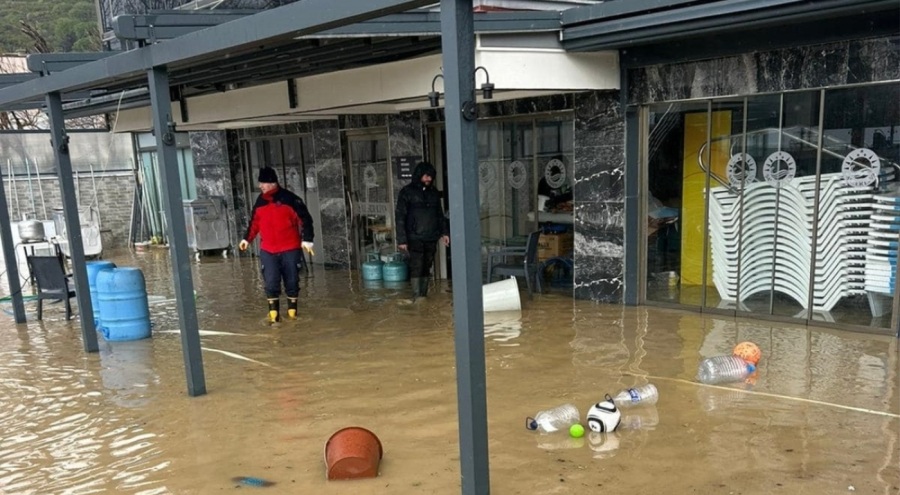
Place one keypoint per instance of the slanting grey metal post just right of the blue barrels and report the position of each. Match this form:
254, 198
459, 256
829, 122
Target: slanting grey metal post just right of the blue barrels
164, 128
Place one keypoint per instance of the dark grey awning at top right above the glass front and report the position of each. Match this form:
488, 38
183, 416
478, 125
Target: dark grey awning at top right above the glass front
680, 29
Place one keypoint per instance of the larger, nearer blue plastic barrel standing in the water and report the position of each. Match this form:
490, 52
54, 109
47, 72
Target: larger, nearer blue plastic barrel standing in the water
122, 294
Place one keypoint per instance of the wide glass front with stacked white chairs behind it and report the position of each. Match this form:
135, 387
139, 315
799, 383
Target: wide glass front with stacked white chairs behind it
803, 202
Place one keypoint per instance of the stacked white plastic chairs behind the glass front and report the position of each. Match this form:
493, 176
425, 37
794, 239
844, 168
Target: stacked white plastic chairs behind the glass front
772, 246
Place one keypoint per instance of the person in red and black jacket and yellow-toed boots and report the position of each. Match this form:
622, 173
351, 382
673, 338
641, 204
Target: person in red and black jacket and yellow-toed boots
285, 228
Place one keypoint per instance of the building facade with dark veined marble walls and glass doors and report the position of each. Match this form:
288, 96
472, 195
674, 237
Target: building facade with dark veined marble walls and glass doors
740, 170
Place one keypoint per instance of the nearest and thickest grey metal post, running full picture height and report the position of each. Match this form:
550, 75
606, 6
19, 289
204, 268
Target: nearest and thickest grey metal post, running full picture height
458, 47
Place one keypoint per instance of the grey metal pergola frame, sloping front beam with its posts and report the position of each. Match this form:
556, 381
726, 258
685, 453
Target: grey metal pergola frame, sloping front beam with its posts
150, 67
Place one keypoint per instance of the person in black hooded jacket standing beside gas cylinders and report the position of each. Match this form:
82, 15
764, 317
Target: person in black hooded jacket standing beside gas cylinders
420, 224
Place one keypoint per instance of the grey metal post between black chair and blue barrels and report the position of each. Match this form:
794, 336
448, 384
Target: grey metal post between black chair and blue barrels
60, 144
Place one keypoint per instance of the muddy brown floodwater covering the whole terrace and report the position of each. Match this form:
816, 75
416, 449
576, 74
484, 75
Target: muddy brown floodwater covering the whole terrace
822, 415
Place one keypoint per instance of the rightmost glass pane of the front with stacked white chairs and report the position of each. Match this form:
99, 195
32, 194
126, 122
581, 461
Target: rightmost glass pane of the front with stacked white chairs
859, 206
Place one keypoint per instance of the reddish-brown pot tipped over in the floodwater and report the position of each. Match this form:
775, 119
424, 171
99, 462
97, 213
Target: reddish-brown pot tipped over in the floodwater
352, 452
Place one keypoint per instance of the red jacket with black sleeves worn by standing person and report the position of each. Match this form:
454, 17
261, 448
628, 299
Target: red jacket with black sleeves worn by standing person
282, 221
